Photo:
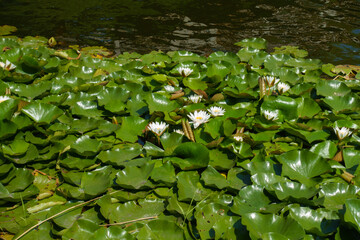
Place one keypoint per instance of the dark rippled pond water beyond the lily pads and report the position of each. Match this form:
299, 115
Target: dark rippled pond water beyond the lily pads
327, 29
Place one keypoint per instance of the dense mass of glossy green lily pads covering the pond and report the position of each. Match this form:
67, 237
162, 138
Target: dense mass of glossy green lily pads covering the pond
73, 127
